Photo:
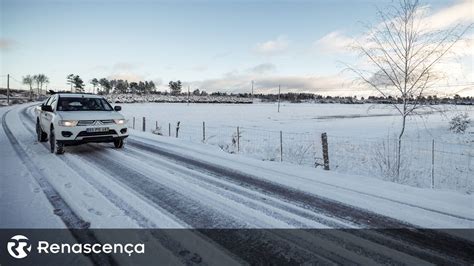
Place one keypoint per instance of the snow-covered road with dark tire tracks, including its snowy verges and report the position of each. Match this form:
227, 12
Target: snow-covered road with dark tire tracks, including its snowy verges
166, 183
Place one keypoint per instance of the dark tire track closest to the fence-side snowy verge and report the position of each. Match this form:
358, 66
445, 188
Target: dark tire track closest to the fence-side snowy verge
436, 247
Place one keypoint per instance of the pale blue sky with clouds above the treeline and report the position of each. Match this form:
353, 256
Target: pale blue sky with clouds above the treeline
213, 45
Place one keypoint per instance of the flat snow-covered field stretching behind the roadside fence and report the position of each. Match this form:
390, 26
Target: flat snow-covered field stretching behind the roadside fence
362, 138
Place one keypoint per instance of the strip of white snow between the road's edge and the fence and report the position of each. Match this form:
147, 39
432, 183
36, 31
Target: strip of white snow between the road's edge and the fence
424, 207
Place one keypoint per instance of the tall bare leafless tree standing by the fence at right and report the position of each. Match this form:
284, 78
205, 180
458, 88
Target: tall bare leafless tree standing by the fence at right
401, 54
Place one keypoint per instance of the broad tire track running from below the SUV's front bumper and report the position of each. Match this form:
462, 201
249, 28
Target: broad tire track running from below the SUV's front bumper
195, 215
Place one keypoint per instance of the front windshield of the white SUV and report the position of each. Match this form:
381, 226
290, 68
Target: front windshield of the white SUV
83, 104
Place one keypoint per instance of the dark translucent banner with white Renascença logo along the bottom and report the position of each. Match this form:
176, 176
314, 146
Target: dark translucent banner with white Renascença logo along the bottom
235, 246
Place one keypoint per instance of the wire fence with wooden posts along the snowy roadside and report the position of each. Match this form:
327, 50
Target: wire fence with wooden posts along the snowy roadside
422, 163
